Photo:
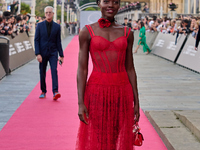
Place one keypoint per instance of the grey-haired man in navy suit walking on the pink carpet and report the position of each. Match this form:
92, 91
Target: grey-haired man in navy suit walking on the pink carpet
47, 47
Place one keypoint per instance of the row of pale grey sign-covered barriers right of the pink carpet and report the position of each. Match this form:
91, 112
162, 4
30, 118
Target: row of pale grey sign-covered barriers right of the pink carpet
163, 45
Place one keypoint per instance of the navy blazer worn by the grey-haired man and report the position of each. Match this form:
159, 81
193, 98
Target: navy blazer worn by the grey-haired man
45, 45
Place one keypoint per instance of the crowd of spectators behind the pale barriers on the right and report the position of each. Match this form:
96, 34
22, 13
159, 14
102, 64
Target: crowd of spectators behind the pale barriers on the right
181, 25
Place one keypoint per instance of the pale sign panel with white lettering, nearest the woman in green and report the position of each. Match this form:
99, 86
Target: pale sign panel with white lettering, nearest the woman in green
165, 47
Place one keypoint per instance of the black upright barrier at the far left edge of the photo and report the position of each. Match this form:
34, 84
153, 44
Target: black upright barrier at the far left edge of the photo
4, 54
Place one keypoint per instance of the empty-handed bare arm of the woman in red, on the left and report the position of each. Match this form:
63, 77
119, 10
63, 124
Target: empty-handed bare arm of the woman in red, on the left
82, 72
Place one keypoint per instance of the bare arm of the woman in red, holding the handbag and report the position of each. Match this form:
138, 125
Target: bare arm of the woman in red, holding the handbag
132, 74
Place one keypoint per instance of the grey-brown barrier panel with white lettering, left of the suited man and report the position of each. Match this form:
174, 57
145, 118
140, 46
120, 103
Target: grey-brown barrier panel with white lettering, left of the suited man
20, 51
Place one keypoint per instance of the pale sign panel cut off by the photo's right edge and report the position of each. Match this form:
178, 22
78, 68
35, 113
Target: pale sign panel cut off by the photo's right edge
189, 57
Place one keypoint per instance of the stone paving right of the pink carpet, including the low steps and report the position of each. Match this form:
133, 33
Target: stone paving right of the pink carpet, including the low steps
169, 96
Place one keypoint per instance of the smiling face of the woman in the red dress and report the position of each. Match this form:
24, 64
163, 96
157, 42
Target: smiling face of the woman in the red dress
109, 8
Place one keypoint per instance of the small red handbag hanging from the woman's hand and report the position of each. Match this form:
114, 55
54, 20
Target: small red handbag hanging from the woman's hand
137, 136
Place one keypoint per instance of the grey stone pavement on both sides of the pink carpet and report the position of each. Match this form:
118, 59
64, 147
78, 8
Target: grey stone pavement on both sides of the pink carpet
169, 96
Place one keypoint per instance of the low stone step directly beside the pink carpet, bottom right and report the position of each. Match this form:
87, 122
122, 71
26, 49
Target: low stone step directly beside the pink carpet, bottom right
172, 131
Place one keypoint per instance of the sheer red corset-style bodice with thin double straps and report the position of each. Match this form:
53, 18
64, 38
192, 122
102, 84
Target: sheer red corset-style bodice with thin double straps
108, 59
